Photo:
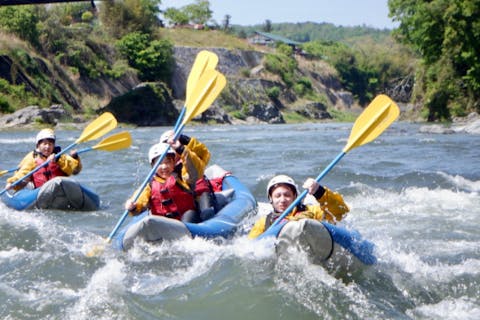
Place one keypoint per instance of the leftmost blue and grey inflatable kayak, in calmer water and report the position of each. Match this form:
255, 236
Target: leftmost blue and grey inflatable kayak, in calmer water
60, 193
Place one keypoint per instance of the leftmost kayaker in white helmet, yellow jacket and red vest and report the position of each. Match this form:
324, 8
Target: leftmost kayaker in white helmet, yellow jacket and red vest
45, 150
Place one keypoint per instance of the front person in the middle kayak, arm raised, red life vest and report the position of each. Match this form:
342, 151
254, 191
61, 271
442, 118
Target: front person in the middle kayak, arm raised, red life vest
171, 191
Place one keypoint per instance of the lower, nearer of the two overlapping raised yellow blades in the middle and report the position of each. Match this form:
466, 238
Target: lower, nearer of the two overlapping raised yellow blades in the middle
208, 87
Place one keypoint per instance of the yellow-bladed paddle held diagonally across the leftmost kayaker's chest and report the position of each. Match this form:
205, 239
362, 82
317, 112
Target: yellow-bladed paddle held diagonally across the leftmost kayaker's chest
99, 127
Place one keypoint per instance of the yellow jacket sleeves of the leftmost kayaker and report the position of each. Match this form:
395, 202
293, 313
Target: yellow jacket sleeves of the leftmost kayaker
67, 164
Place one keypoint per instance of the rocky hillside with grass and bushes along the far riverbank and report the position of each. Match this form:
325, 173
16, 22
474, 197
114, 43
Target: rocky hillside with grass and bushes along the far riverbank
259, 88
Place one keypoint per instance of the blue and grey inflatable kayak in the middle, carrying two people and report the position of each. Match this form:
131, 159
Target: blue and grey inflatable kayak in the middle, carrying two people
235, 200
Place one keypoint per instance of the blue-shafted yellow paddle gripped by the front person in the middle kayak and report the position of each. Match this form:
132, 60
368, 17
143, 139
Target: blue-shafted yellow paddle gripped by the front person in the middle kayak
208, 87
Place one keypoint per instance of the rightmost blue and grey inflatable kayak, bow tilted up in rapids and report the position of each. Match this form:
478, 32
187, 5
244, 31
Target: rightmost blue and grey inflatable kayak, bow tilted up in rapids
326, 244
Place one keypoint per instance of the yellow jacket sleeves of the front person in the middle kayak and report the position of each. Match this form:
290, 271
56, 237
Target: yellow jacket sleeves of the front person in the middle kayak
194, 159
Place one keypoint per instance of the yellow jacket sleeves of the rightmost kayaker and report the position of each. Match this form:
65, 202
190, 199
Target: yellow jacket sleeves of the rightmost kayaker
331, 208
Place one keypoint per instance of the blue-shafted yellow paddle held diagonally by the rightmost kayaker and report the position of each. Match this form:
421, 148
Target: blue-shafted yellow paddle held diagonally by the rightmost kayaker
379, 114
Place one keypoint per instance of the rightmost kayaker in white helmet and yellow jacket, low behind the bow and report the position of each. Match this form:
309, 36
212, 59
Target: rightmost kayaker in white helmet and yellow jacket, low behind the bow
282, 191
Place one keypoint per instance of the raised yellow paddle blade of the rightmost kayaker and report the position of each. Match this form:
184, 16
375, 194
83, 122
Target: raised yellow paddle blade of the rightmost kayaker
378, 116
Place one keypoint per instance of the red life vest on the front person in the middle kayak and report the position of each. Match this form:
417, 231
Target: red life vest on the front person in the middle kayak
170, 199
